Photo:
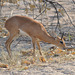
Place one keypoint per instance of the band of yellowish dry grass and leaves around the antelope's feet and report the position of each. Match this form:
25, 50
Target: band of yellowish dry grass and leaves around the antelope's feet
22, 60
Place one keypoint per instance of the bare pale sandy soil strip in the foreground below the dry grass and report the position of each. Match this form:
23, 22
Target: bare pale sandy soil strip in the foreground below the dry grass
67, 68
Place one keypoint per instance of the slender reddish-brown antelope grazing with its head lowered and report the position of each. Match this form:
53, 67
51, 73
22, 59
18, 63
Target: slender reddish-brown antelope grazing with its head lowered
24, 25
